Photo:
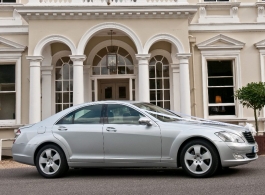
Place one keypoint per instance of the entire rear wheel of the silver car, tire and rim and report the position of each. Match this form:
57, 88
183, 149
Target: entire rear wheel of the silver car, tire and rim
51, 162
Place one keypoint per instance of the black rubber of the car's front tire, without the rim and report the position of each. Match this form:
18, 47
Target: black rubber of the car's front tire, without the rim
213, 151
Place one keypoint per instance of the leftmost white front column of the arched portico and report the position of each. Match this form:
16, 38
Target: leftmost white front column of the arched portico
34, 89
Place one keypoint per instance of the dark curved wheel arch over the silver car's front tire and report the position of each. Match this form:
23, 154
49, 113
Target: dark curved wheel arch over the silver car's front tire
191, 139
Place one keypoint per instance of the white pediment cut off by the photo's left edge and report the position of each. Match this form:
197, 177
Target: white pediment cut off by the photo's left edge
10, 46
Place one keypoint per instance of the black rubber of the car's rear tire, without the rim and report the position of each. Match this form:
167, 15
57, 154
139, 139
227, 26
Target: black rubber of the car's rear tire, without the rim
63, 166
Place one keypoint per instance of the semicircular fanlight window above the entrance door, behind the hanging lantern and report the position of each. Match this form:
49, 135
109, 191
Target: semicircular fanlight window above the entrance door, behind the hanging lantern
124, 66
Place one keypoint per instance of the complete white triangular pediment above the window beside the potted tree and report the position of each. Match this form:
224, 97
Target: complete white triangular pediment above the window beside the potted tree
220, 42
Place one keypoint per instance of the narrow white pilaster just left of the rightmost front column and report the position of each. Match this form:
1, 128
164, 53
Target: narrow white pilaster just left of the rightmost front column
175, 87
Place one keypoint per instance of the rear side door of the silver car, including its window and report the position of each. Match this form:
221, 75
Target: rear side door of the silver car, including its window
81, 131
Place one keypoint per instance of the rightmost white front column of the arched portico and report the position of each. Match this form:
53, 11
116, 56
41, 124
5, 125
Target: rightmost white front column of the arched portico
185, 105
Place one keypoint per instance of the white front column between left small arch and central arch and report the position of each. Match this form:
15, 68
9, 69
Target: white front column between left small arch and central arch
78, 79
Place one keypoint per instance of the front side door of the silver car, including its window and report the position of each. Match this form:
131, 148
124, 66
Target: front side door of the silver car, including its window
125, 140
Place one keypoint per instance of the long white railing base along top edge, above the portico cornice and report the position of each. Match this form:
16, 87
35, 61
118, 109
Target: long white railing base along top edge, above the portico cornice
106, 2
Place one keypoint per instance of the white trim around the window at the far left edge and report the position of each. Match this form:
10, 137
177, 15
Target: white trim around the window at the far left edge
16, 59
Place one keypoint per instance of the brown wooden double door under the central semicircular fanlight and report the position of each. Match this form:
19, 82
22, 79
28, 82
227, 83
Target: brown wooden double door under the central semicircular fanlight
113, 89
